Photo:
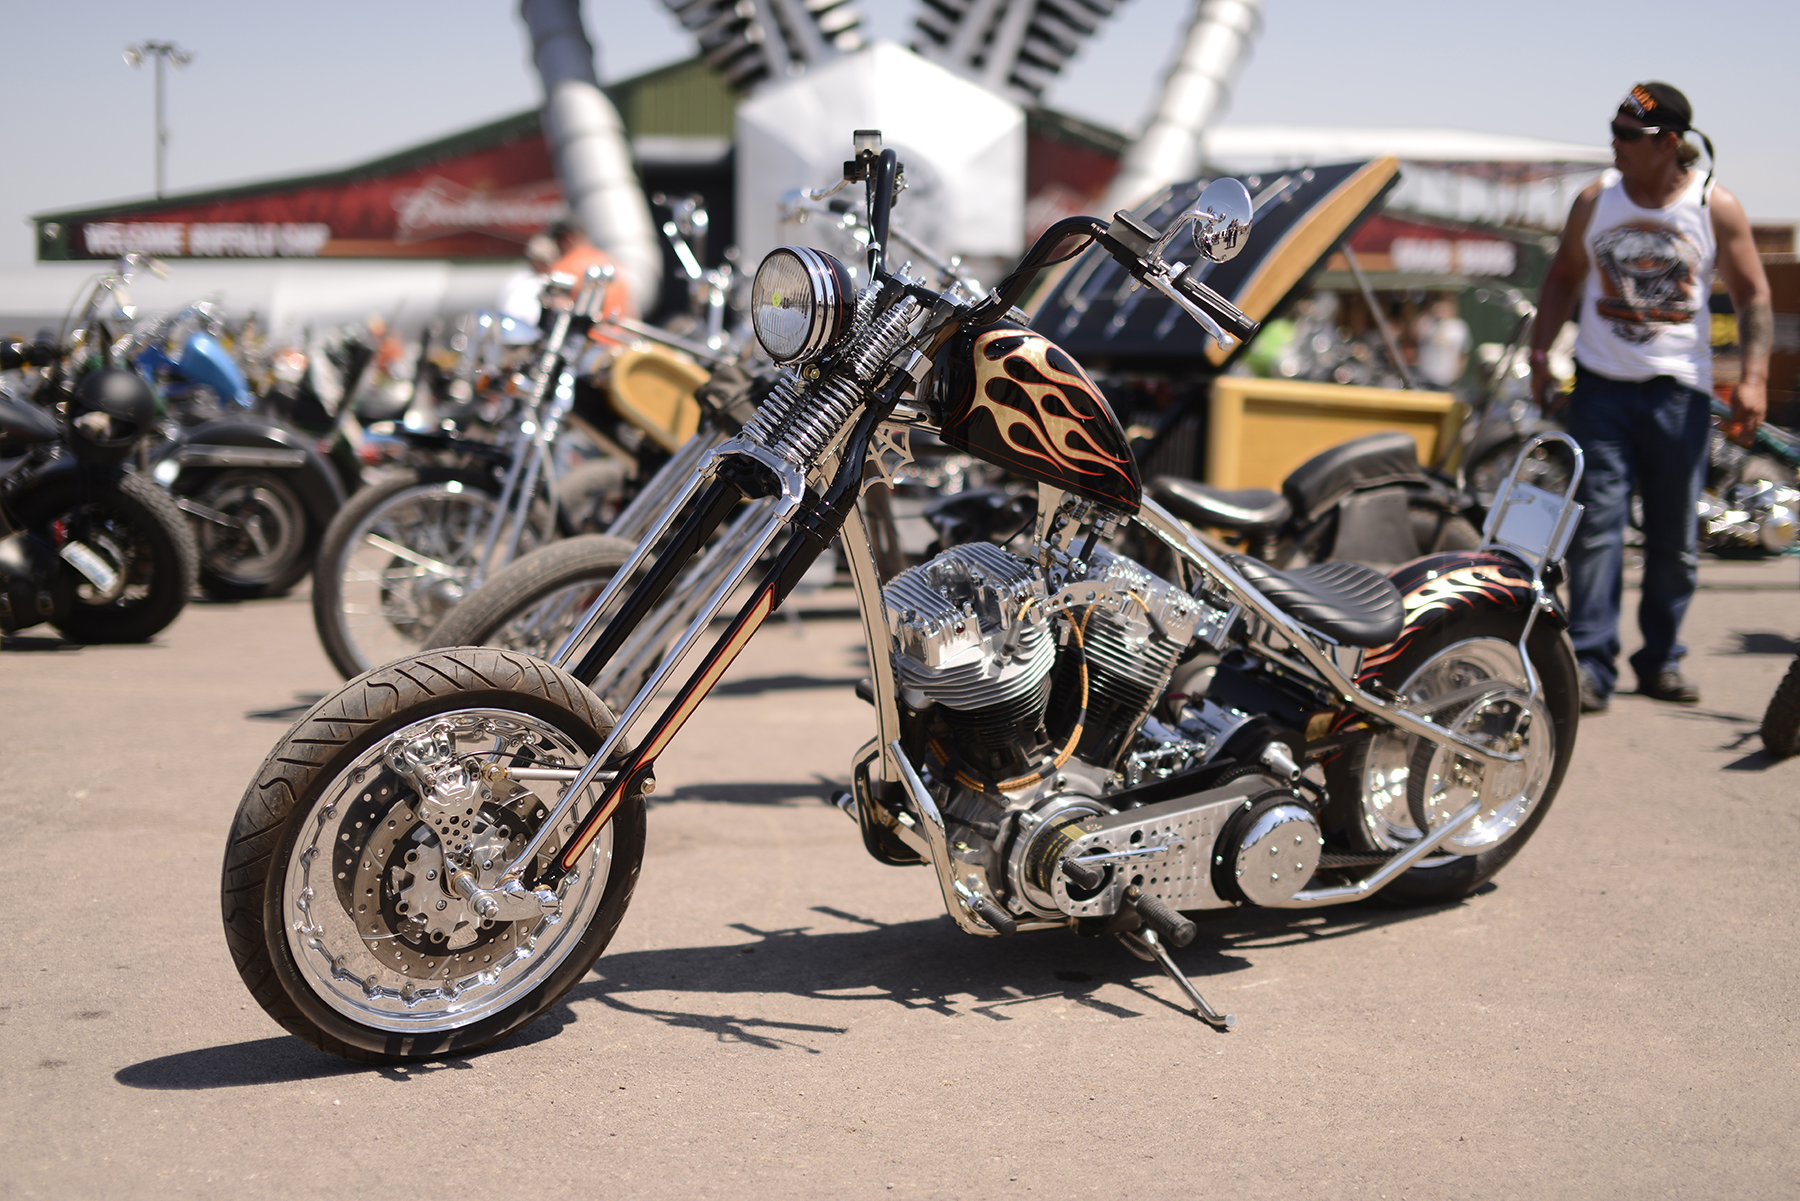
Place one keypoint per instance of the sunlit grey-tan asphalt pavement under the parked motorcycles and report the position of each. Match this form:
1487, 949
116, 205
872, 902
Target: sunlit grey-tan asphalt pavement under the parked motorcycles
782, 1016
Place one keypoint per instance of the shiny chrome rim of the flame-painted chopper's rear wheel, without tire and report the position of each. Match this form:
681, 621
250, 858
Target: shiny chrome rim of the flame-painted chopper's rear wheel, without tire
1477, 689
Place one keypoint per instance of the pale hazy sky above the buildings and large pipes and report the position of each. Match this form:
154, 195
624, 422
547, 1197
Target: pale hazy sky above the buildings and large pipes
282, 89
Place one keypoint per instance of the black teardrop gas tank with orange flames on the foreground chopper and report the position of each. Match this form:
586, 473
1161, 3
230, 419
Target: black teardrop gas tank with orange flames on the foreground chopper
1050, 419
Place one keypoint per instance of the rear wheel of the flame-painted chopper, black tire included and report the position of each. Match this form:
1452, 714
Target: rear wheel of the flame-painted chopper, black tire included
1374, 795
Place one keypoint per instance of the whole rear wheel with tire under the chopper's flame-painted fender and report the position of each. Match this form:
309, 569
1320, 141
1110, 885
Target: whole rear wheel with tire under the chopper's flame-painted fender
1468, 678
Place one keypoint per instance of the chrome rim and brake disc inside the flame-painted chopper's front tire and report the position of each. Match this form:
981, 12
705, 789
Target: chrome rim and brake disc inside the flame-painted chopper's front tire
370, 919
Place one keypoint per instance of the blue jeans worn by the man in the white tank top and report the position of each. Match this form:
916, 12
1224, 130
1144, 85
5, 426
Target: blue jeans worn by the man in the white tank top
1646, 435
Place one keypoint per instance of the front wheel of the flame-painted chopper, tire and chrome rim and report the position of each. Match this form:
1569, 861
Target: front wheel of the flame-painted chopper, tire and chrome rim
337, 898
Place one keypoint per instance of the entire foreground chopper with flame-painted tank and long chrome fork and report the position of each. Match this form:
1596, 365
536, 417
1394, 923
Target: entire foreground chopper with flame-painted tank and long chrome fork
440, 851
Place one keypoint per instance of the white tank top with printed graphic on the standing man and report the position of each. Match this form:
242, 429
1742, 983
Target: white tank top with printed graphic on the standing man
1650, 278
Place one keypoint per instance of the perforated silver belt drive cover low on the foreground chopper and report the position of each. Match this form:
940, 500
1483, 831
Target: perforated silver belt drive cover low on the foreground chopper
1165, 849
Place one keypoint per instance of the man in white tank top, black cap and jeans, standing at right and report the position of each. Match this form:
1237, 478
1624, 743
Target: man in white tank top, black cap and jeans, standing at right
1635, 271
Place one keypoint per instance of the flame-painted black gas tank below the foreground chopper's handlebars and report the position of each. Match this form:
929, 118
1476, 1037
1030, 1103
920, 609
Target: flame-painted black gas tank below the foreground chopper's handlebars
1012, 397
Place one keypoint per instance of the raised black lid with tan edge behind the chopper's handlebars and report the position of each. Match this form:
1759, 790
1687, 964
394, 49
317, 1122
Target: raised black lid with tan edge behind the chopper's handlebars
1300, 217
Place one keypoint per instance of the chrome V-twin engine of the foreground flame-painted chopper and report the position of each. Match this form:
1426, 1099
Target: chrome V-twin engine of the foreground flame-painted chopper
1036, 703
